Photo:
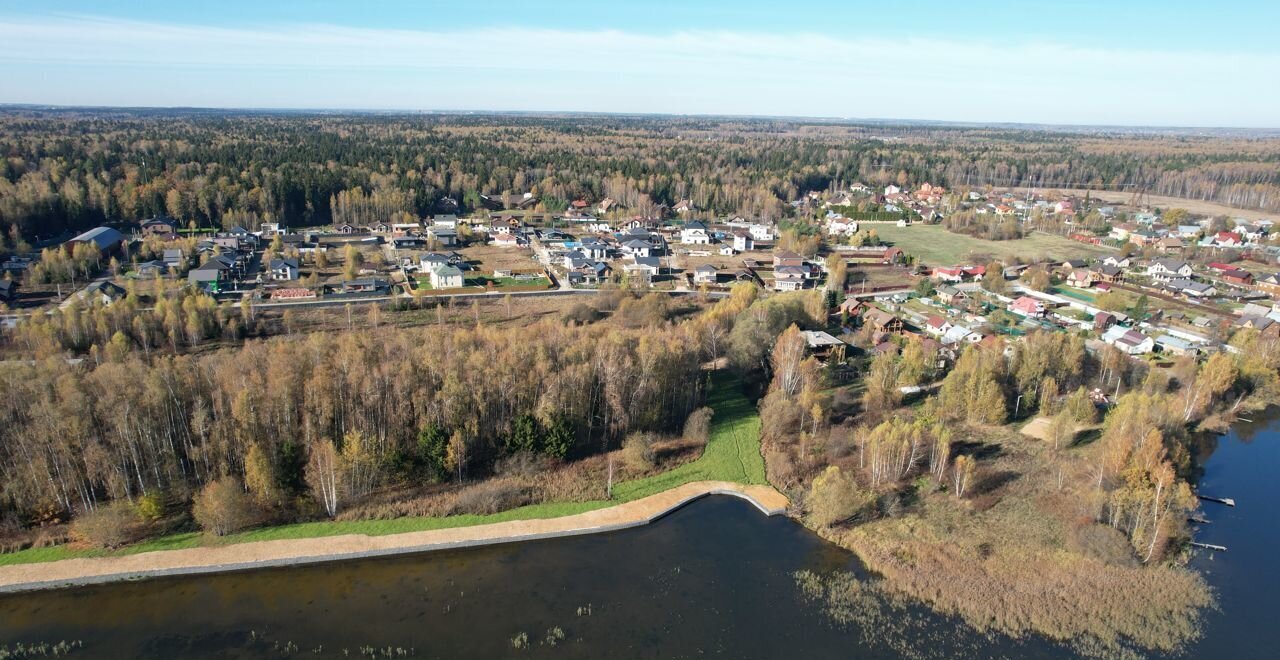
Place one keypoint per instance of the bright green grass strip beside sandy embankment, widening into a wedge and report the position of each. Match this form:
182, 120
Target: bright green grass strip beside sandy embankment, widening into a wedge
733, 455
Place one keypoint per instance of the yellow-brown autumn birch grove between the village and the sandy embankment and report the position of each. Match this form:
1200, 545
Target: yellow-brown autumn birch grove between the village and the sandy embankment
401, 405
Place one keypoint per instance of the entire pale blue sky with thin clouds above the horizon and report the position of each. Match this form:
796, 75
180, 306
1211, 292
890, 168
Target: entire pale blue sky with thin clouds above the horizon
1081, 62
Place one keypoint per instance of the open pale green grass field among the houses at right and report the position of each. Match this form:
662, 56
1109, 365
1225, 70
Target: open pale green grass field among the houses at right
935, 246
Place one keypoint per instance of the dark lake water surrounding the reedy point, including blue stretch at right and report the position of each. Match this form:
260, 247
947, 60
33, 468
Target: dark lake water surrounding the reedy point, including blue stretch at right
714, 580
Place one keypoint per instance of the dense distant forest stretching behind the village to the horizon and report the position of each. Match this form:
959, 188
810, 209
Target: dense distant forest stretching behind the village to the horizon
68, 171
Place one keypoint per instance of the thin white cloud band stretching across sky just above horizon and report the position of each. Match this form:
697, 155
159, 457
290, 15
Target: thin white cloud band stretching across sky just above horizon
615, 71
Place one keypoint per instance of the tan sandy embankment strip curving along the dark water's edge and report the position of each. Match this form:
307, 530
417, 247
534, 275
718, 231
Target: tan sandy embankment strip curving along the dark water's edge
301, 552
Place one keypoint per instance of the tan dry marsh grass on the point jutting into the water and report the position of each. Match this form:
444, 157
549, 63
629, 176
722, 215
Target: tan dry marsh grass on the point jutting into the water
1025, 558
